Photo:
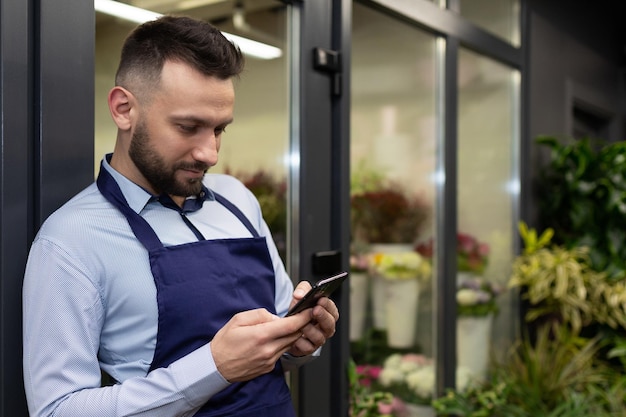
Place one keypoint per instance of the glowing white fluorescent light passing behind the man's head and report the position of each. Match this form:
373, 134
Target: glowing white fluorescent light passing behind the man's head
135, 14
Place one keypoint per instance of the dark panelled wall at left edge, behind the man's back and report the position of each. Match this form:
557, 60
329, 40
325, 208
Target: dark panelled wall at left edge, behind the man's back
46, 145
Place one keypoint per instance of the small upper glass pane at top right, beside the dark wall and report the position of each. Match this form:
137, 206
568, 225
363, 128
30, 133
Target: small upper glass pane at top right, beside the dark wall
501, 18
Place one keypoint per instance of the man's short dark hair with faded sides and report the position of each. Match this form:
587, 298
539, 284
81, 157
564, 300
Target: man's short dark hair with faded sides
175, 38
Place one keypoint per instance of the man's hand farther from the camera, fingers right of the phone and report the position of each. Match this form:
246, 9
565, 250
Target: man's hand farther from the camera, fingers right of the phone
320, 322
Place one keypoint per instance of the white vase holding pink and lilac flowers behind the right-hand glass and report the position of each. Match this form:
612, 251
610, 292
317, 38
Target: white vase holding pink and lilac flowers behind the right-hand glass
473, 337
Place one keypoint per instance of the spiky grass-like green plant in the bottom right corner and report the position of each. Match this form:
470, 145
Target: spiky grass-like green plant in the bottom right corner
559, 375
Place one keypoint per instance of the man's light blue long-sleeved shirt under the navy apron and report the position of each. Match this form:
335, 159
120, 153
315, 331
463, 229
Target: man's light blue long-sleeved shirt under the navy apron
90, 302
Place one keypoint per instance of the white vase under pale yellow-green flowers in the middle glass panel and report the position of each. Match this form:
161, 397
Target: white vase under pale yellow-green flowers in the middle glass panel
401, 312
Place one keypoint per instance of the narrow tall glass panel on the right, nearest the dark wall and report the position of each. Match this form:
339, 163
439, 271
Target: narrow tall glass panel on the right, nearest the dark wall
487, 191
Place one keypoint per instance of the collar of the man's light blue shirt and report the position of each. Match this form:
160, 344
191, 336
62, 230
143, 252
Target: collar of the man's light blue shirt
137, 197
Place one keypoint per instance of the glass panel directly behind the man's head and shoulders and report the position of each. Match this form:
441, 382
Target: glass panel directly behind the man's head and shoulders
254, 147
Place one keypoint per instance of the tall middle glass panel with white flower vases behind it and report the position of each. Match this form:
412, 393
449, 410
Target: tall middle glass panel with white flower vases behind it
393, 160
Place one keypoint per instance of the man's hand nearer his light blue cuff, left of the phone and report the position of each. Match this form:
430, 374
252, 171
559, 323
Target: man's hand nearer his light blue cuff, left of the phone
253, 341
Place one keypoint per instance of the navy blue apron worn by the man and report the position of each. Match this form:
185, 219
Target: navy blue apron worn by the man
200, 286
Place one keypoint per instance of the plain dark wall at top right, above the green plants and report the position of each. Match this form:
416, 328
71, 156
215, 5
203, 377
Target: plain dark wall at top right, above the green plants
576, 73
